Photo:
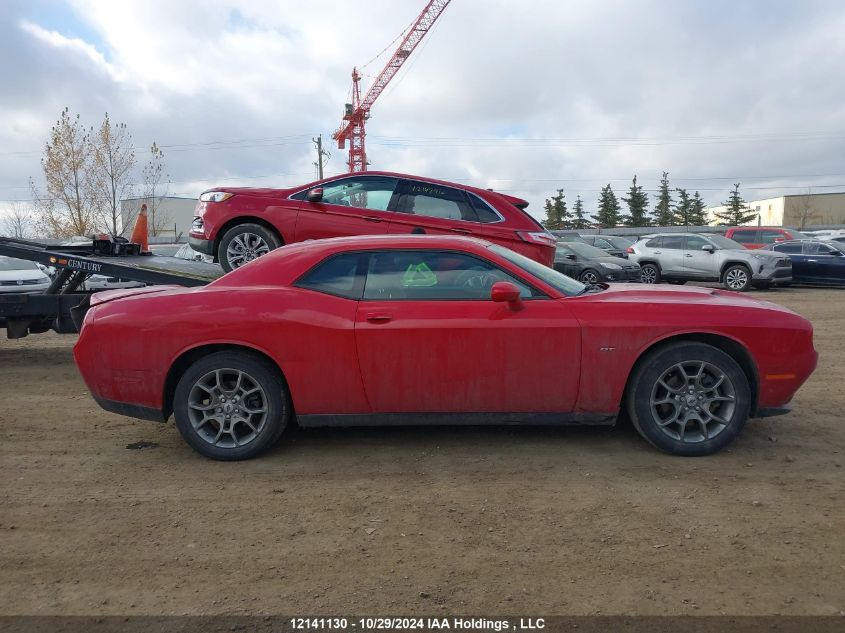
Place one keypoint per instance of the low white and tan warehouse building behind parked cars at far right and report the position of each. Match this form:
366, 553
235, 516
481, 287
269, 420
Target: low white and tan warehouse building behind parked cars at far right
799, 211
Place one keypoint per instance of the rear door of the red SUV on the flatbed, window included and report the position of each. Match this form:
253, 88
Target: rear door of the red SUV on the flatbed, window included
428, 208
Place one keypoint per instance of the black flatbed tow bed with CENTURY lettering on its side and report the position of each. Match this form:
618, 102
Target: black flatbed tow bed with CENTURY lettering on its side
62, 306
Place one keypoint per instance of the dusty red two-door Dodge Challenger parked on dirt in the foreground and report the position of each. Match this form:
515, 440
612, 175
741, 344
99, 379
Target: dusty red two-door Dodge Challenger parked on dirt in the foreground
385, 330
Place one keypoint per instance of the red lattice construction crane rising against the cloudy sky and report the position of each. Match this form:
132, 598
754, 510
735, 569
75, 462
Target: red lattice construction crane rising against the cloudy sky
357, 112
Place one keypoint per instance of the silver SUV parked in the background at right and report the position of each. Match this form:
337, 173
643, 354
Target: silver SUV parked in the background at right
682, 257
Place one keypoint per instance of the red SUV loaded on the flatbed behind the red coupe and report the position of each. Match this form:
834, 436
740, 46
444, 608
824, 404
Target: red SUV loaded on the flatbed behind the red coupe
236, 225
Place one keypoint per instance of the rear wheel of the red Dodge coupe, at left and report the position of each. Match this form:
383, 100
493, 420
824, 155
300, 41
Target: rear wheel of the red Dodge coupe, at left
257, 372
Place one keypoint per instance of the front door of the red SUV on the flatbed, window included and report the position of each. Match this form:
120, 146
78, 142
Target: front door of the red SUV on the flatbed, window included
357, 205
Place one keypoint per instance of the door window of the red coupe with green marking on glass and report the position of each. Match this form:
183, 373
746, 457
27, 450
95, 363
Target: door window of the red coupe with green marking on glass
433, 276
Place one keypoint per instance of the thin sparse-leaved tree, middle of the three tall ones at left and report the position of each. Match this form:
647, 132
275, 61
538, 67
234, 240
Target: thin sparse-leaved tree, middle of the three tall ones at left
113, 161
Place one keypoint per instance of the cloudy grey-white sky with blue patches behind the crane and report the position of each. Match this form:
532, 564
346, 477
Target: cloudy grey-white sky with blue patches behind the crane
523, 96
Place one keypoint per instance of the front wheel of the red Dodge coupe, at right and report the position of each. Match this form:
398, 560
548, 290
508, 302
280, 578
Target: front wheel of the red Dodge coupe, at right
644, 386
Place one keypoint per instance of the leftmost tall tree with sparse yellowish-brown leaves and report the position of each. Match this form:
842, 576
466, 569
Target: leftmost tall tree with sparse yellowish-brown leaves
70, 206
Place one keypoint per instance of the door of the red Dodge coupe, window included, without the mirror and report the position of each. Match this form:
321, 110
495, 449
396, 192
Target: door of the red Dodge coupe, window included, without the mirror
431, 340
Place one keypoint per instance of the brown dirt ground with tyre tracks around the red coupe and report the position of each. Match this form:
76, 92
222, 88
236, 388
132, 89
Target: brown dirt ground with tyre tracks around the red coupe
418, 521
